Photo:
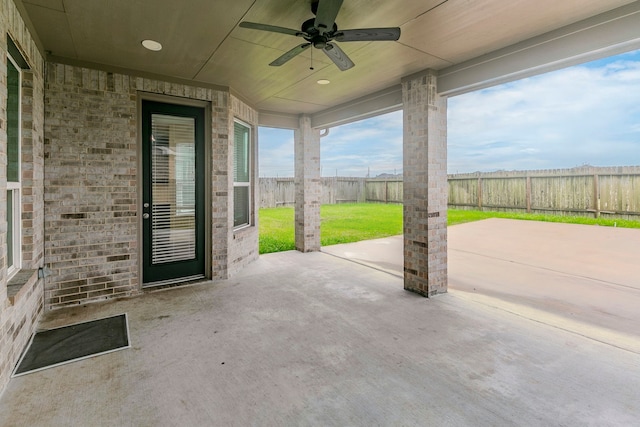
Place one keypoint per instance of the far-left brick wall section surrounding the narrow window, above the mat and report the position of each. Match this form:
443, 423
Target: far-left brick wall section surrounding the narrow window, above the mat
21, 299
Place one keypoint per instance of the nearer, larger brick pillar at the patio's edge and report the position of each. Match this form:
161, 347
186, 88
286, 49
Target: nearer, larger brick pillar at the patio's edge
425, 185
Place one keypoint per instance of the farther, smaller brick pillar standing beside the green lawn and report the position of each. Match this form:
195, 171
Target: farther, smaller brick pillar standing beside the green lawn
307, 186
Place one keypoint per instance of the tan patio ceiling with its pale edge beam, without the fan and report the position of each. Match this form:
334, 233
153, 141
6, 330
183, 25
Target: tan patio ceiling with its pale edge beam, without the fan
472, 43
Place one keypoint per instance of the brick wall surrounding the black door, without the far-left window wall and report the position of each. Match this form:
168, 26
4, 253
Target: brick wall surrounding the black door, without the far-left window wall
91, 151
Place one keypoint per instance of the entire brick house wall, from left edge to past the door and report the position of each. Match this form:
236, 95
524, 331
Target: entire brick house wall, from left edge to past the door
86, 226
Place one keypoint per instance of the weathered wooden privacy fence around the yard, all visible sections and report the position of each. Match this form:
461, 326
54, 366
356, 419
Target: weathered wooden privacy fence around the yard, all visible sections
586, 191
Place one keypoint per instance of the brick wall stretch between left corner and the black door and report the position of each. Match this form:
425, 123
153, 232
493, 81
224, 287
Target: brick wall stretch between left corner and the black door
91, 182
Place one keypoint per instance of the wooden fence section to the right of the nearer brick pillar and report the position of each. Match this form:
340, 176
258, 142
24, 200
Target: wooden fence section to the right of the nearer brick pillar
586, 191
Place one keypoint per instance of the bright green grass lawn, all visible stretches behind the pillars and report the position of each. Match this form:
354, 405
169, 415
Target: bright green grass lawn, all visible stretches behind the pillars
345, 223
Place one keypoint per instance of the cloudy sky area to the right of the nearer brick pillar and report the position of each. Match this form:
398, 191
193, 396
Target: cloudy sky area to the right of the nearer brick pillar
584, 114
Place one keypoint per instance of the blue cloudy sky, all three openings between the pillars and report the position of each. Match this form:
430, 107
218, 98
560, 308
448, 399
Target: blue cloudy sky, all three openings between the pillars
583, 115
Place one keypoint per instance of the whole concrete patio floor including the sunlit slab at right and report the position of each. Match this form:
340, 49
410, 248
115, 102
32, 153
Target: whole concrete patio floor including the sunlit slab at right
315, 339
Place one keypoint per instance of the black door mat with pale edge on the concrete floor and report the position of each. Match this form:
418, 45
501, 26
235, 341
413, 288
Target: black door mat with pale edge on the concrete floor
68, 344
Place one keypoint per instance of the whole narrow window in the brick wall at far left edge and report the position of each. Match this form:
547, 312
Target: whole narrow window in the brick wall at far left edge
14, 240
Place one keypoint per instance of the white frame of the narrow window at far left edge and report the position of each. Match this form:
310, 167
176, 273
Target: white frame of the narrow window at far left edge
14, 189
